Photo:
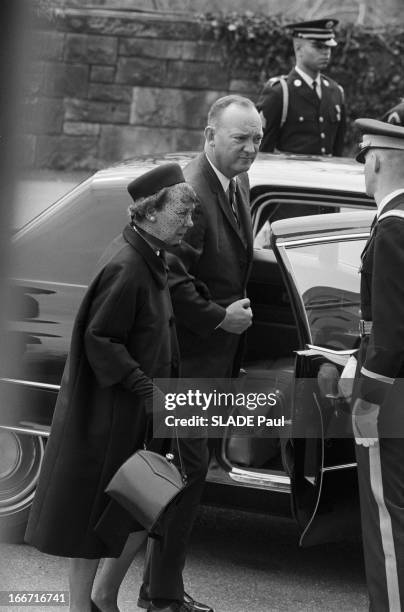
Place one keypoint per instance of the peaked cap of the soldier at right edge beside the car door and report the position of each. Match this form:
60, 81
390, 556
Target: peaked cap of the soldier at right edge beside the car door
378, 135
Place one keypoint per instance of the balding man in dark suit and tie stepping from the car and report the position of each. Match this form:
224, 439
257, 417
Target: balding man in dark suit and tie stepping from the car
208, 277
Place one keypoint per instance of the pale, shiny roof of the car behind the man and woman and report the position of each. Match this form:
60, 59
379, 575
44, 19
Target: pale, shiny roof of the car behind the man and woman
296, 171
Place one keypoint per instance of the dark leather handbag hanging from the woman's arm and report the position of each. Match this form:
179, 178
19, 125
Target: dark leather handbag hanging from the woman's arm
146, 485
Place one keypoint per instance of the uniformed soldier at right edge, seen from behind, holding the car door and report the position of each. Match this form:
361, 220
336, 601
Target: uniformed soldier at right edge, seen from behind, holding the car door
378, 410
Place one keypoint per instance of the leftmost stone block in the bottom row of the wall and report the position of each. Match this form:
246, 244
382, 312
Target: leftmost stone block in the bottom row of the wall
67, 152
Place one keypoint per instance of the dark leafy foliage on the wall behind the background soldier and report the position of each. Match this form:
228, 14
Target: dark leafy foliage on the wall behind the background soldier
368, 63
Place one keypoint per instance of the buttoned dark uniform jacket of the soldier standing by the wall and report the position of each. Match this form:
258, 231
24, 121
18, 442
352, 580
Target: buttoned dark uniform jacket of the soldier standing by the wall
313, 126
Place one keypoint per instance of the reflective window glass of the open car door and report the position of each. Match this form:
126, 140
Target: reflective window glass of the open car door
326, 275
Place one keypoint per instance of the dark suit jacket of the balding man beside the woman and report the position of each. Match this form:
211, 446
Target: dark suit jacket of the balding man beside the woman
209, 271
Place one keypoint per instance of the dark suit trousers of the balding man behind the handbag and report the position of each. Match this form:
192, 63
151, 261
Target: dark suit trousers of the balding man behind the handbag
162, 578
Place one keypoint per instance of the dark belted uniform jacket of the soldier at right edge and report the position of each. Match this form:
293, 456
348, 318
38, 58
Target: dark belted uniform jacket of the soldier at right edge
381, 358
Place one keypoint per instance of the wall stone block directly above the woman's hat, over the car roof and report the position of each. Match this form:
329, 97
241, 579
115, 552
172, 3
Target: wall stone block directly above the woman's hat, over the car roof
119, 143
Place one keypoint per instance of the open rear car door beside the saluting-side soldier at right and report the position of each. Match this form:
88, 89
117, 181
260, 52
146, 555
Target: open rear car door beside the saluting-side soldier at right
320, 261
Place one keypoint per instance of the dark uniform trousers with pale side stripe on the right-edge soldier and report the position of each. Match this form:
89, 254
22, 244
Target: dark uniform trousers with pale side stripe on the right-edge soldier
381, 488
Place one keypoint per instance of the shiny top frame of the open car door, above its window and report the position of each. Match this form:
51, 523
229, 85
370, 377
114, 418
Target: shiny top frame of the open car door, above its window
315, 226
